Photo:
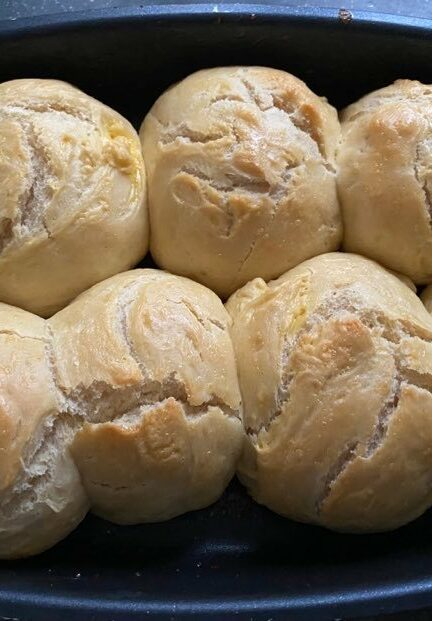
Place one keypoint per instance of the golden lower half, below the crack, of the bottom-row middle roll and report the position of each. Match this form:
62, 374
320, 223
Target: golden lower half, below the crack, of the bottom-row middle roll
159, 463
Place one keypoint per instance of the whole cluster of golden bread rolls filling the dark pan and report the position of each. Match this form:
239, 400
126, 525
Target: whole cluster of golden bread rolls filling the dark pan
140, 398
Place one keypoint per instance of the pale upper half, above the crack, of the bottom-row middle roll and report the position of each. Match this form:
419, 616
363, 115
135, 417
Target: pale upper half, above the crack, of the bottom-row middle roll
128, 320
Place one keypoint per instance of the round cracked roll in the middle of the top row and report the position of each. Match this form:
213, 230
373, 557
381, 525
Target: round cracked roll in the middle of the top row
241, 178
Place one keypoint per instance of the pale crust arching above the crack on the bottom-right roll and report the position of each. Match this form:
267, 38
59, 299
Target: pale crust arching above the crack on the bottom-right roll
274, 313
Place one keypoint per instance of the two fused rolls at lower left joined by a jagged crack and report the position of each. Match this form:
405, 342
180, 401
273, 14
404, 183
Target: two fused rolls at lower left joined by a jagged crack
126, 401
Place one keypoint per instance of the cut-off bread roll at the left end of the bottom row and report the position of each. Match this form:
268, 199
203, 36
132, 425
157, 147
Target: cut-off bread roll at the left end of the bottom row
41, 495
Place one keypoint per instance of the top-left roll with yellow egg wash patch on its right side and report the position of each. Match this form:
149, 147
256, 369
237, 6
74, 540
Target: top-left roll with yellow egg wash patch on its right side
72, 194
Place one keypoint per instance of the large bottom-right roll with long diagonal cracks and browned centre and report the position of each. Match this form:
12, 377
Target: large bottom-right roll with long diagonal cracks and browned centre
335, 367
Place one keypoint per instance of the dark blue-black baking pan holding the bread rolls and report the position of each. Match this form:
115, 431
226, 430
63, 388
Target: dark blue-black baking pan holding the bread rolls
234, 560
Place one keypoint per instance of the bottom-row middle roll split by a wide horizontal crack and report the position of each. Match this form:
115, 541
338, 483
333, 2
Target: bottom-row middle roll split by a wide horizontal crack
146, 359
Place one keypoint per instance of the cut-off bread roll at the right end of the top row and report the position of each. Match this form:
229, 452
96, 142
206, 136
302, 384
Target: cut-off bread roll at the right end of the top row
385, 178
